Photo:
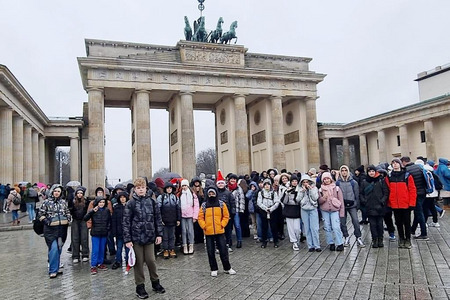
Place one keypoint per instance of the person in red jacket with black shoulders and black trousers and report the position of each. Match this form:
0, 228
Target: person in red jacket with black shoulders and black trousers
402, 199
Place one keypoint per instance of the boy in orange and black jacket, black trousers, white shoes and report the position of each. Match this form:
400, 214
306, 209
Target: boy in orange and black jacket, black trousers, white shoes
213, 217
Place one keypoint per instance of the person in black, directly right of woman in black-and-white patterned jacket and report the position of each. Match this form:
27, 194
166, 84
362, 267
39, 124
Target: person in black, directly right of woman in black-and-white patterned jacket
78, 207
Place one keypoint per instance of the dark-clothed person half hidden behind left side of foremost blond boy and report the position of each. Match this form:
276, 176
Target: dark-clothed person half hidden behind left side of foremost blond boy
117, 228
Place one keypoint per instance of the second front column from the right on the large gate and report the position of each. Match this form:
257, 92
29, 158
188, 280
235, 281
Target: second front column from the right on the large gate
279, 158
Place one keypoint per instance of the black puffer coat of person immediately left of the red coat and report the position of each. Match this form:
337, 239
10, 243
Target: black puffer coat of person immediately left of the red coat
374, 194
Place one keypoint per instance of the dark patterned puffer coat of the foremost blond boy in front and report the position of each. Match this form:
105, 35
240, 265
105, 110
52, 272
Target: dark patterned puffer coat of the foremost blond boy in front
142, 221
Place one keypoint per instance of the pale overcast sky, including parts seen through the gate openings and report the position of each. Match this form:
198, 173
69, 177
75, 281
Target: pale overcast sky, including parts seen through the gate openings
371, 52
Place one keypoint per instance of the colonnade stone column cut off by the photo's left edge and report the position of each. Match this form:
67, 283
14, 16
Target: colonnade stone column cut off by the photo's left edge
6, 148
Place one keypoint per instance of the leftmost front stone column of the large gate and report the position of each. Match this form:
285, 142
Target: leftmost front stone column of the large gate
96, 139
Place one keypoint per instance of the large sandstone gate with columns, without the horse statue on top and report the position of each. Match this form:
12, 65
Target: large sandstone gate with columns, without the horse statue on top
264, 105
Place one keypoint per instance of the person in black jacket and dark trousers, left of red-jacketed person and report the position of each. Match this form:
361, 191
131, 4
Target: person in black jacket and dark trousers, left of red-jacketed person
374, 193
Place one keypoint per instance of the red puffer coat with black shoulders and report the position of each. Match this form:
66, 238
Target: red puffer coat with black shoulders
402, 191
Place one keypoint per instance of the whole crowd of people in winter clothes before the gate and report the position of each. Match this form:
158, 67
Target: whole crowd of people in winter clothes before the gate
145, 218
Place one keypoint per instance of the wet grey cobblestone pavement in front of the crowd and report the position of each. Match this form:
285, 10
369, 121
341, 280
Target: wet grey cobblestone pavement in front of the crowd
272, 273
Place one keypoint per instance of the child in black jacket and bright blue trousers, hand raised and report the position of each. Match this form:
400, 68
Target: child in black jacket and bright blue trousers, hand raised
101, 224
